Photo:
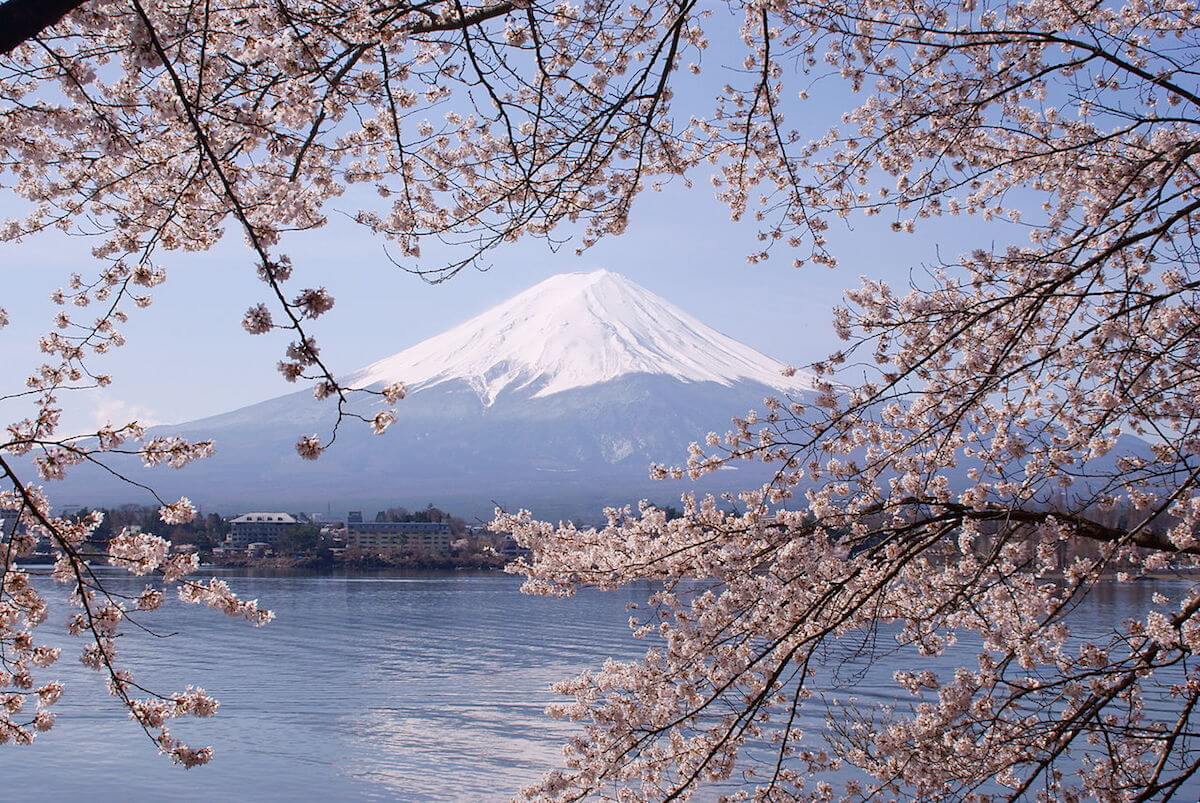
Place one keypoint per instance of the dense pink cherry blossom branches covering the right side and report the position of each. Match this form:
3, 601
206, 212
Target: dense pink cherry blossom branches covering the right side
967, 441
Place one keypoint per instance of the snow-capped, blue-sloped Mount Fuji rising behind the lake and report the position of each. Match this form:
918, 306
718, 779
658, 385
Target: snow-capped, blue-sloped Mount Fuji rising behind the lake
556, 400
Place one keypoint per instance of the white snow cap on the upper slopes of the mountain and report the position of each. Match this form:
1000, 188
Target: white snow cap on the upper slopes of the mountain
574, 331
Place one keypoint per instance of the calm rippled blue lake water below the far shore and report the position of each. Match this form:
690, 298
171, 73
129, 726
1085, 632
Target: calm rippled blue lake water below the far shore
412, 687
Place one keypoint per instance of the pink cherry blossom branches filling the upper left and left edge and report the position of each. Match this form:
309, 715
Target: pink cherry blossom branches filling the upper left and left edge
149, 127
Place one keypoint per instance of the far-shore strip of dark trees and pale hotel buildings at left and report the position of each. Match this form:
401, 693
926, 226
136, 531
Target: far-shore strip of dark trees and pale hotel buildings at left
266, 540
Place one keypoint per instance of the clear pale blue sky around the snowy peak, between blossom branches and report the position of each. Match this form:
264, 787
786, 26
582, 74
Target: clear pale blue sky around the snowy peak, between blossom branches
188, 356
